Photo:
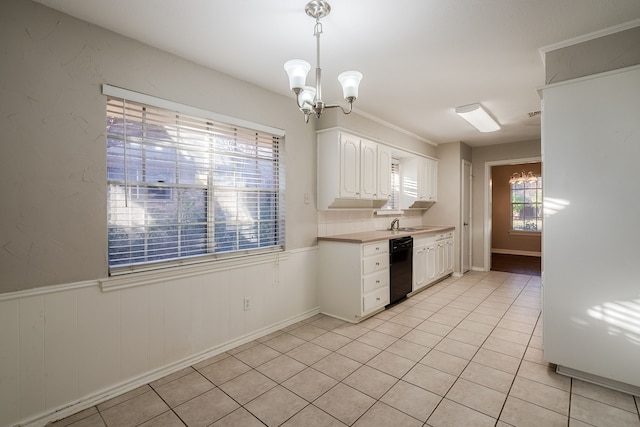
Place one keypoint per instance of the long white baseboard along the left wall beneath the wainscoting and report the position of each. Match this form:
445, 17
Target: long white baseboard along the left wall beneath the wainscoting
103, 395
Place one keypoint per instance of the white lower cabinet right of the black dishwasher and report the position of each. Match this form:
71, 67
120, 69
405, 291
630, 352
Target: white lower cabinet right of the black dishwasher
432, 258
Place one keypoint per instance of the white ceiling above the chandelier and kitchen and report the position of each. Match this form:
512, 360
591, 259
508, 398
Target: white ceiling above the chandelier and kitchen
420, 58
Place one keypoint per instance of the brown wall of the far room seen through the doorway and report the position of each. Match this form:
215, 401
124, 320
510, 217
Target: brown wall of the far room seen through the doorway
501, 237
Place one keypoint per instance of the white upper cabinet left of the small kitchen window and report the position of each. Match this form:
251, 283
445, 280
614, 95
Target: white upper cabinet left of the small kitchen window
352, 172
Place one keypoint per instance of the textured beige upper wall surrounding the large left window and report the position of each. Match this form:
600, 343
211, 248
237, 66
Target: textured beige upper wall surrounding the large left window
52, 128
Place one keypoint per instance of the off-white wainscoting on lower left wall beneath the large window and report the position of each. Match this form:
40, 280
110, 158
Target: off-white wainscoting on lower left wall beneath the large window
65, 348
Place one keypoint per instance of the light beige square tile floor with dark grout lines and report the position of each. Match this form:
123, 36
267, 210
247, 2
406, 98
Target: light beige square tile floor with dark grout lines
465, 352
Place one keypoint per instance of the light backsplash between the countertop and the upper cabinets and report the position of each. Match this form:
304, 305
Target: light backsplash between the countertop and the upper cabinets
345, 221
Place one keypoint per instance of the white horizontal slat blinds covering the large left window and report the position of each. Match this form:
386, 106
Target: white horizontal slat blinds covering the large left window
181, 186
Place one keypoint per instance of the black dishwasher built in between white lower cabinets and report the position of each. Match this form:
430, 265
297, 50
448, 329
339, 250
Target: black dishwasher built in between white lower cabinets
400, 268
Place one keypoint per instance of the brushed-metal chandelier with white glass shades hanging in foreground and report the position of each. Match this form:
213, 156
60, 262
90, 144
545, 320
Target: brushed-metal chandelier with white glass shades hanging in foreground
309, 98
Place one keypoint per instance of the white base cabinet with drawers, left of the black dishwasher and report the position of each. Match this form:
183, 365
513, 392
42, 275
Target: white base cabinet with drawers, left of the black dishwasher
354, 279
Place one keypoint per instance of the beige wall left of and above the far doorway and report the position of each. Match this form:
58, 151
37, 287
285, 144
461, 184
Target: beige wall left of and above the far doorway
480, 157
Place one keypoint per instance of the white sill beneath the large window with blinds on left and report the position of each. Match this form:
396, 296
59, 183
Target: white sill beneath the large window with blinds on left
142, 278
